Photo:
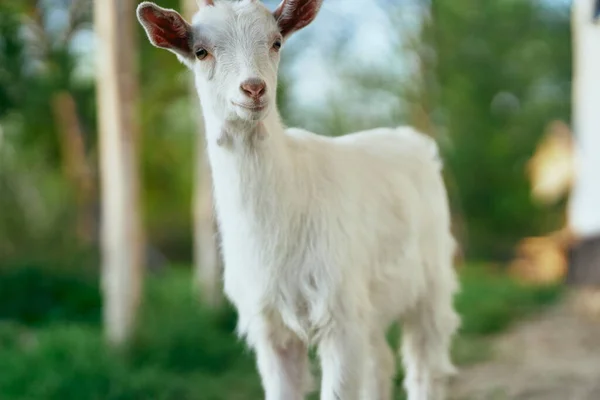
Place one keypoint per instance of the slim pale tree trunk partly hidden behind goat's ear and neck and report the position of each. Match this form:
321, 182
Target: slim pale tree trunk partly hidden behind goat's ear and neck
207, 259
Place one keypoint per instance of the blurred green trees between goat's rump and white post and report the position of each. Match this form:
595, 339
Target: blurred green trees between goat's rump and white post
503, 72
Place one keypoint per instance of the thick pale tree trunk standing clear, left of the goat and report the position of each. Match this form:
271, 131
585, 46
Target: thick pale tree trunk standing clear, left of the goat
121, 235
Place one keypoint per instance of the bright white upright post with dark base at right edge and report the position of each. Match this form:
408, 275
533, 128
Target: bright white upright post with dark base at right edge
584, 205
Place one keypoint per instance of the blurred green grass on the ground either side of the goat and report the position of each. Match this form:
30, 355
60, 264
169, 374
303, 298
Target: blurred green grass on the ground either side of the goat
181, 351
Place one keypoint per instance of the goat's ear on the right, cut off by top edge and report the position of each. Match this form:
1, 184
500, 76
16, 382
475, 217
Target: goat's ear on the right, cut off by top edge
293, 15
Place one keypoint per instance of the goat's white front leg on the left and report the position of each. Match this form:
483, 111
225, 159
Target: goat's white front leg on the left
283, 367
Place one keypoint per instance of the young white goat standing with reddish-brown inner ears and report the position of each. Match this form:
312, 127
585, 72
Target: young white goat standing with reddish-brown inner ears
326, 241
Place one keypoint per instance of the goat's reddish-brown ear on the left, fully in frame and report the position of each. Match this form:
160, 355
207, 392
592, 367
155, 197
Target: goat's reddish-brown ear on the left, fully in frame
166, 29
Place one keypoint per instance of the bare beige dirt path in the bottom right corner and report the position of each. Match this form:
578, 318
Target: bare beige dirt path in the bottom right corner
555, 356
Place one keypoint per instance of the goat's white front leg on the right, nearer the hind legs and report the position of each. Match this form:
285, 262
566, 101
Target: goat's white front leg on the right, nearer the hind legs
344, 361
